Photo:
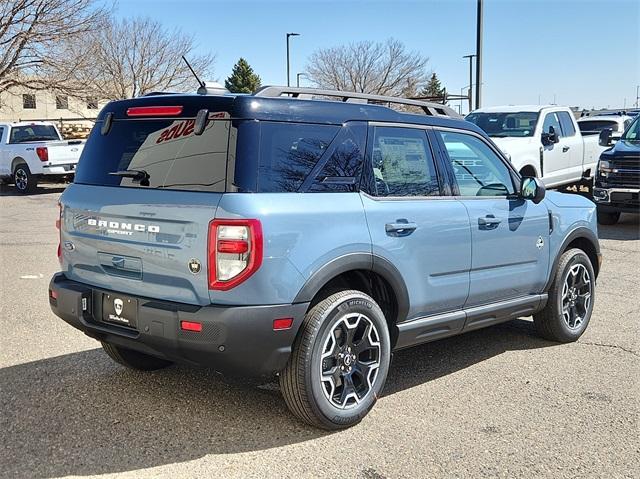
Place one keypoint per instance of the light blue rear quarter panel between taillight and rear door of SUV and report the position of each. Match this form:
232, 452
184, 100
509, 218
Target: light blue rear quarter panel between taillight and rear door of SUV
302, 232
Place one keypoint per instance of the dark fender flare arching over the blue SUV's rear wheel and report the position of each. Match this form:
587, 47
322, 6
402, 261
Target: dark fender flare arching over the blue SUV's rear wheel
352, 262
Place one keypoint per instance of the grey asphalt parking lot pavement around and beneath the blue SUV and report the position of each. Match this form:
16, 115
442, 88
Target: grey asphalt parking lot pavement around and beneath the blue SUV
498, 402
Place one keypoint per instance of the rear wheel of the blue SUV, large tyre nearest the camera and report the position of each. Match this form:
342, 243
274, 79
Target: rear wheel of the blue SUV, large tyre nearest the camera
339, 361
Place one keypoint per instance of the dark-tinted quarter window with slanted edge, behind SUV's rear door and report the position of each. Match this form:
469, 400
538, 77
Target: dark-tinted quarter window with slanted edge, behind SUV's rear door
288, 153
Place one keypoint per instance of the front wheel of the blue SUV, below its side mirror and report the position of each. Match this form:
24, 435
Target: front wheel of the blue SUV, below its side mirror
571, 297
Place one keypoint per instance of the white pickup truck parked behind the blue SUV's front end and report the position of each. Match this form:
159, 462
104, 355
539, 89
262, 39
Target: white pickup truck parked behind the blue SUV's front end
542, 141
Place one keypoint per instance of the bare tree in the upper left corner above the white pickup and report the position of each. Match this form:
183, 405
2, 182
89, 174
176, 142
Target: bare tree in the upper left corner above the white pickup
31, 35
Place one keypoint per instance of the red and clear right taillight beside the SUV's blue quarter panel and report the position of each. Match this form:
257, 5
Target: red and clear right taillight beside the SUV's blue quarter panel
235, 252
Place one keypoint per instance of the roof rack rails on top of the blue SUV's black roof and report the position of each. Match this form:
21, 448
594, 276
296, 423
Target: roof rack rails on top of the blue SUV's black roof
429, 108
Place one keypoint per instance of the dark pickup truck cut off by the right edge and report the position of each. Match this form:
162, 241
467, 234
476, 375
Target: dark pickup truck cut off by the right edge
617, 181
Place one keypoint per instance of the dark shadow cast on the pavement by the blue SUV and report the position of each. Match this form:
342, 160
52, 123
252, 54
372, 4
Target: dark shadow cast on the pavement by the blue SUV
81, 414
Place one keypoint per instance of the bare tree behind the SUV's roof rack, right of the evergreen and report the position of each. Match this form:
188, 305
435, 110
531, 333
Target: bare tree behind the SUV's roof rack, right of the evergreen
369, 67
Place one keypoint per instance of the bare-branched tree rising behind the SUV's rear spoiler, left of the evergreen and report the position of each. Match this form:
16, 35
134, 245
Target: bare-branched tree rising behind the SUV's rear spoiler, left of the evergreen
129, 58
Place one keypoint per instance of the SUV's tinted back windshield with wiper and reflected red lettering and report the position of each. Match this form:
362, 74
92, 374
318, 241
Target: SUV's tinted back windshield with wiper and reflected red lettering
165, 149
